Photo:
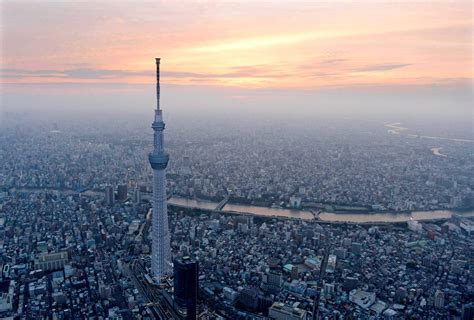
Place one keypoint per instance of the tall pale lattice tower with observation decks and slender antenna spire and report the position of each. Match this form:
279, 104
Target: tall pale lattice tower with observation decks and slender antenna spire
161, 252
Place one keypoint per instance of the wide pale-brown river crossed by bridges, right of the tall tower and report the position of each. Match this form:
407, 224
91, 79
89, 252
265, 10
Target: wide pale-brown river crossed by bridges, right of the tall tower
323, 216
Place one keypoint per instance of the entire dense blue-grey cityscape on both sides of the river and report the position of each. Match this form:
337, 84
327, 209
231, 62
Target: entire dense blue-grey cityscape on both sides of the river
76, 226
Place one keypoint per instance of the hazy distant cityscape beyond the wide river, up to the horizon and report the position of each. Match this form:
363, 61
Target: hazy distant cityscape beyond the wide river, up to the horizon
339, 163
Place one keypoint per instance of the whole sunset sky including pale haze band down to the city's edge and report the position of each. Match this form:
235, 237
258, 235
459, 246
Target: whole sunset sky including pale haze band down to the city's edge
387, 60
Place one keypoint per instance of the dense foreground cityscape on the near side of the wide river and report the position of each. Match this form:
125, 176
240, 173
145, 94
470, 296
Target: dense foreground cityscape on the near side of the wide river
68, 256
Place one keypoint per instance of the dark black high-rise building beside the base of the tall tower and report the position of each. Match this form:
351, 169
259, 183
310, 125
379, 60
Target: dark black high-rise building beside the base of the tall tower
186, 286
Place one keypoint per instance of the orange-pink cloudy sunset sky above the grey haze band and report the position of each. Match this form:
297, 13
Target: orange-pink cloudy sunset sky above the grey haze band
270, 44
